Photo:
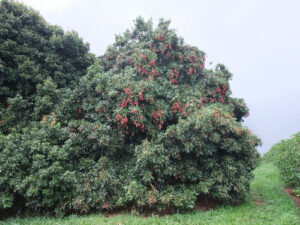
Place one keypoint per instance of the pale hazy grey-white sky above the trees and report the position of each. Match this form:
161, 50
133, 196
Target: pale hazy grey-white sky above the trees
258, 40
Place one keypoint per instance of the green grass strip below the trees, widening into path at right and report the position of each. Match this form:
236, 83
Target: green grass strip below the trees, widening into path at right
267, 204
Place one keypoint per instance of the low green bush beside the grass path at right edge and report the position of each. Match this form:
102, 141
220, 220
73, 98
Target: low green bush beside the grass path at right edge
286, 155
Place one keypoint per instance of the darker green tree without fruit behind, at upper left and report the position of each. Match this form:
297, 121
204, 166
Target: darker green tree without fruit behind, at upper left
32, 51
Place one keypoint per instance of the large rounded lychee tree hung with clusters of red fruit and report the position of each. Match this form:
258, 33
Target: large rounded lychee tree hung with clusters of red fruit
173, 132
